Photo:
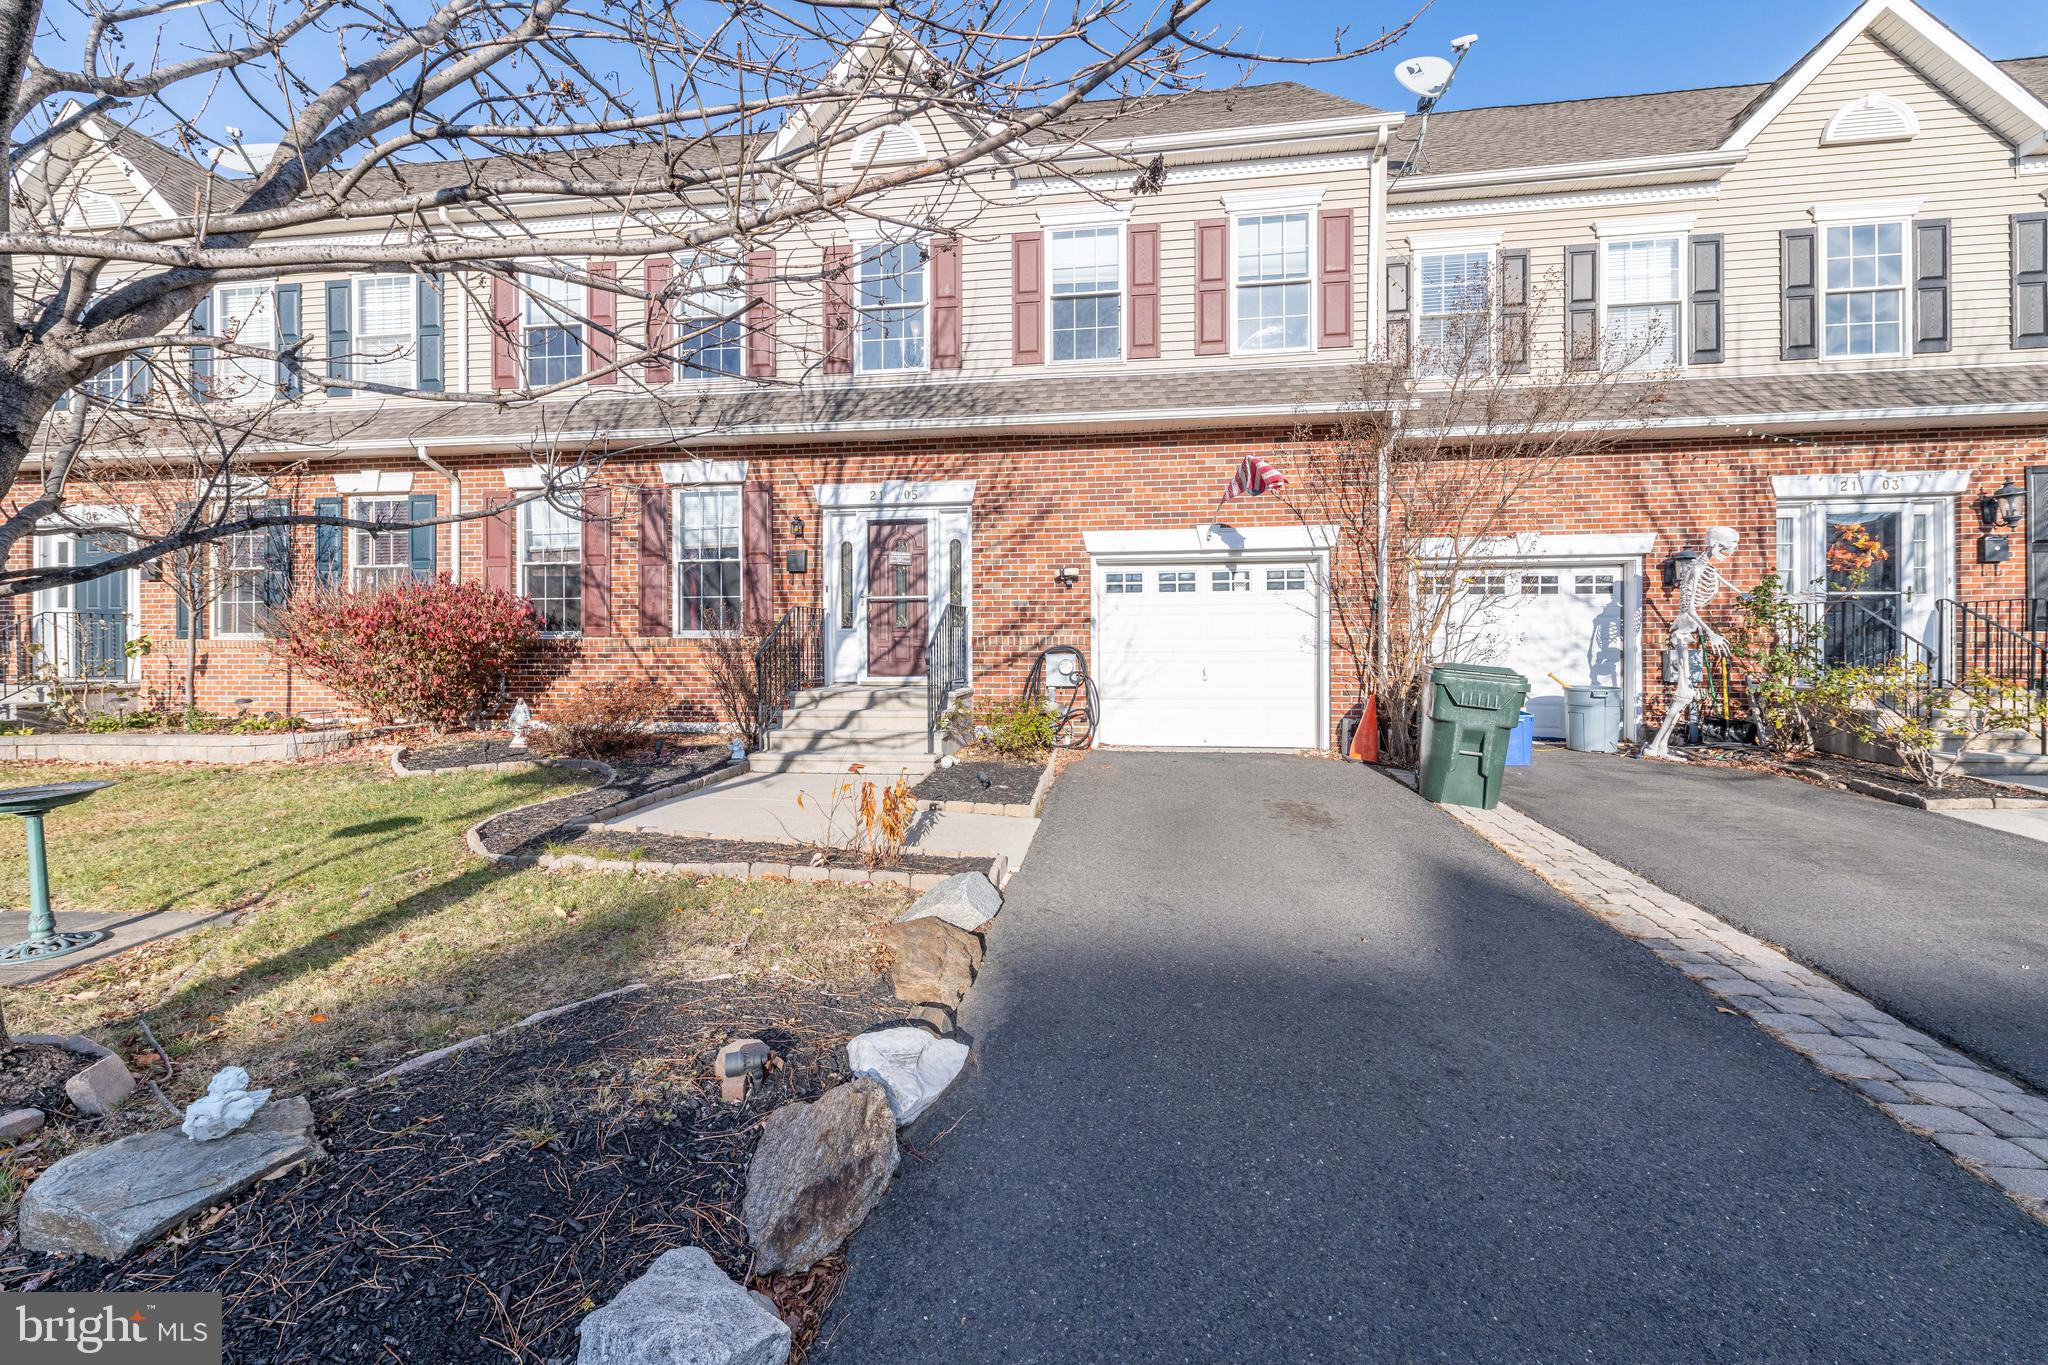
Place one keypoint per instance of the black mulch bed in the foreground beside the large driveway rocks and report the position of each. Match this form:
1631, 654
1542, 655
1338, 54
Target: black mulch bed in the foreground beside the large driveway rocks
478, 1208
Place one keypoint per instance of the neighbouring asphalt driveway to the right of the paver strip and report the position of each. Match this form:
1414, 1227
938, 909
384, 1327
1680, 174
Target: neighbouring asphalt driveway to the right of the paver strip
1940, 922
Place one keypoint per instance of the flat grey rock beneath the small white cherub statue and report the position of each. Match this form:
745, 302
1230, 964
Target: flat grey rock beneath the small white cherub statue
114, 1198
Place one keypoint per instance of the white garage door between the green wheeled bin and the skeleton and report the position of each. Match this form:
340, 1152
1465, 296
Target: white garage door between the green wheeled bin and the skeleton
1558, 619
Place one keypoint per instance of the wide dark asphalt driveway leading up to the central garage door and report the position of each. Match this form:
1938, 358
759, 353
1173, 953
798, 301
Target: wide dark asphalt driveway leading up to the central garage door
1275, 1063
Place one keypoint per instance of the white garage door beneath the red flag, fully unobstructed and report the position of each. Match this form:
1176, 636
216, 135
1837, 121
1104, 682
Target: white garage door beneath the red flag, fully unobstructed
1209, 656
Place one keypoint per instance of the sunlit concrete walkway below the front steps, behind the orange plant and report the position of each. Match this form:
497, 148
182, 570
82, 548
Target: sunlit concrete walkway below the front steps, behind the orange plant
796, 807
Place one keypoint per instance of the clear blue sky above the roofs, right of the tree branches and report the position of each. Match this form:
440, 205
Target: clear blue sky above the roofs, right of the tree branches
1535, 50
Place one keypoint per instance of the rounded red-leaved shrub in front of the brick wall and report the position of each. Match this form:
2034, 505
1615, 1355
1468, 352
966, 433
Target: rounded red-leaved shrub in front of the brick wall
425, 650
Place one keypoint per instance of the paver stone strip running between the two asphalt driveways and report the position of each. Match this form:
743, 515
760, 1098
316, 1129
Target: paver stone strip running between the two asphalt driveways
1992, 1127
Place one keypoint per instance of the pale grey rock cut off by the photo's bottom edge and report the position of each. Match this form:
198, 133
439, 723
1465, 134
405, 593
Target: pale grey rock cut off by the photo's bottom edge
685, 1311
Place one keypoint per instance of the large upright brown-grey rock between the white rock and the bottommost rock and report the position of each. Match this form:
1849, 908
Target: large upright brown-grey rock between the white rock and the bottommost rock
816, 1176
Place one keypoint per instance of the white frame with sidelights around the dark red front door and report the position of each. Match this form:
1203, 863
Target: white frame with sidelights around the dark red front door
847, 511
